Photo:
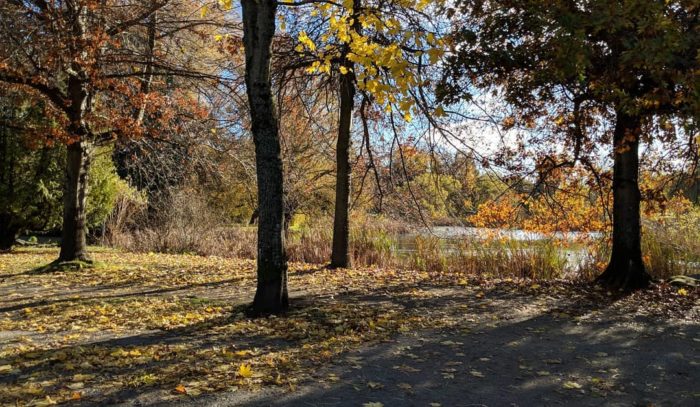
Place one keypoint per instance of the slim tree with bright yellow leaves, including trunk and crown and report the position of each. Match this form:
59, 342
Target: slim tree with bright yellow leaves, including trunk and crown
379, 50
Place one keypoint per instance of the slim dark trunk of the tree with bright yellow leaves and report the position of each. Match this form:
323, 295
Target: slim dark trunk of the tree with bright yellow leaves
340, 255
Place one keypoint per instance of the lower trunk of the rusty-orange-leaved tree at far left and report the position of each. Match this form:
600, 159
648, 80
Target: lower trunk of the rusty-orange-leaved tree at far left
73, 239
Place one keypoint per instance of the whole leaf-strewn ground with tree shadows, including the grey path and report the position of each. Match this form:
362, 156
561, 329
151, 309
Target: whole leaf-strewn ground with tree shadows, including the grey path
143, 329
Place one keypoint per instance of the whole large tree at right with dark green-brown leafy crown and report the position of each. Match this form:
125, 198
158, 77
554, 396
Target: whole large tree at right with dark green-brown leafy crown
632, 61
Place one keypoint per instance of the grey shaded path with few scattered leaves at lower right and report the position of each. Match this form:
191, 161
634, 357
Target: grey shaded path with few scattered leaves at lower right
530, 360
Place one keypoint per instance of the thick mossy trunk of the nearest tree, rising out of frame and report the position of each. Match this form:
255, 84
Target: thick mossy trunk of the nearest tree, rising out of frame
258, 30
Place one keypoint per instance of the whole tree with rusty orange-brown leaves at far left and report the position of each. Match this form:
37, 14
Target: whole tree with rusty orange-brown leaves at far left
65, 60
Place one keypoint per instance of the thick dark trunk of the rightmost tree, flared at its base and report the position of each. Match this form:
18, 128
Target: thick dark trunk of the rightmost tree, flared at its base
626, 268
